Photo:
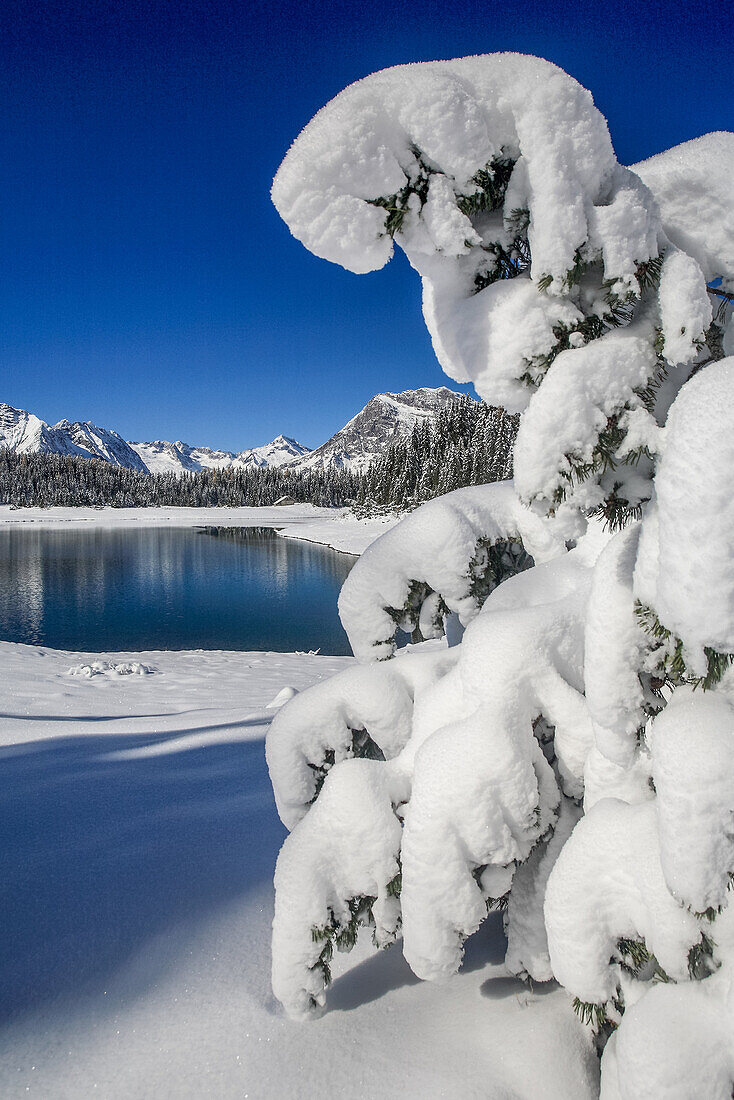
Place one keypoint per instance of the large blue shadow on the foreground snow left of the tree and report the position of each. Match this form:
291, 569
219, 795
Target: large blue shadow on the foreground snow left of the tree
102, 853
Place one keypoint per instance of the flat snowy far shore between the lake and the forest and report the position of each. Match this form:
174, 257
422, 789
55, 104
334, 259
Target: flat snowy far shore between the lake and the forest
336, 527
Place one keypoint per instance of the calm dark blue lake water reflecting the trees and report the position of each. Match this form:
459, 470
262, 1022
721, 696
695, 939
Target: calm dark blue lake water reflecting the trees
170, 589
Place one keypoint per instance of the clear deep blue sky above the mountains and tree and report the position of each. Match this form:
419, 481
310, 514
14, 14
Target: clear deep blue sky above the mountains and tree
148, 283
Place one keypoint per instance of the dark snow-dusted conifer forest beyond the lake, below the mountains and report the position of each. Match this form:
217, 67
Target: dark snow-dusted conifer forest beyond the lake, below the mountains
467, 444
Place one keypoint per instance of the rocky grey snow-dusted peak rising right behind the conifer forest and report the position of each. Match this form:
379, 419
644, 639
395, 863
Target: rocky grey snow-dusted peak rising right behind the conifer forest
385, 419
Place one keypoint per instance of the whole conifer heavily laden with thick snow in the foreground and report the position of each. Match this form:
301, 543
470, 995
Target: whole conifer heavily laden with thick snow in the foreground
571, 756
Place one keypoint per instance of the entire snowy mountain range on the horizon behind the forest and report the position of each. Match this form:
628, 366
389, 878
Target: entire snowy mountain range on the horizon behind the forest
386, 419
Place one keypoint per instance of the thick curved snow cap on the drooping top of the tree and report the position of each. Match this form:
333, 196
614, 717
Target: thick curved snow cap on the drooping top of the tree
459, 114
